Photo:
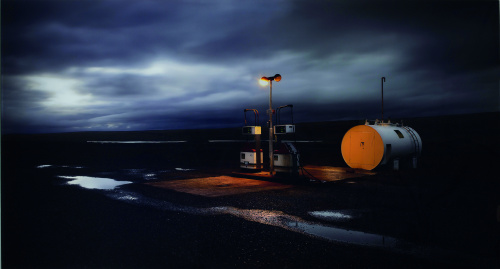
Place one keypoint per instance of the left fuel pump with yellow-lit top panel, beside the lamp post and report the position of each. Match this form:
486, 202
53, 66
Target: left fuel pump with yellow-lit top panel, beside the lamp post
251, 154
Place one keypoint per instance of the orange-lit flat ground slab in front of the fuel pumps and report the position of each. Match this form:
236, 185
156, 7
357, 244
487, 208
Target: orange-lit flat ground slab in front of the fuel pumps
219, 186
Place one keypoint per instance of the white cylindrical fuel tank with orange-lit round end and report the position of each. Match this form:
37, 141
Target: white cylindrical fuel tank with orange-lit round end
367, 146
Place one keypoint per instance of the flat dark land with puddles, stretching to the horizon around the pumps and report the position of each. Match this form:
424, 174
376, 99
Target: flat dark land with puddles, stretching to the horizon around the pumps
445, 213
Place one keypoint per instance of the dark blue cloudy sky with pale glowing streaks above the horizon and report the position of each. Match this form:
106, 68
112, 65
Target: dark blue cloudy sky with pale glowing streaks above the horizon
141, 65
